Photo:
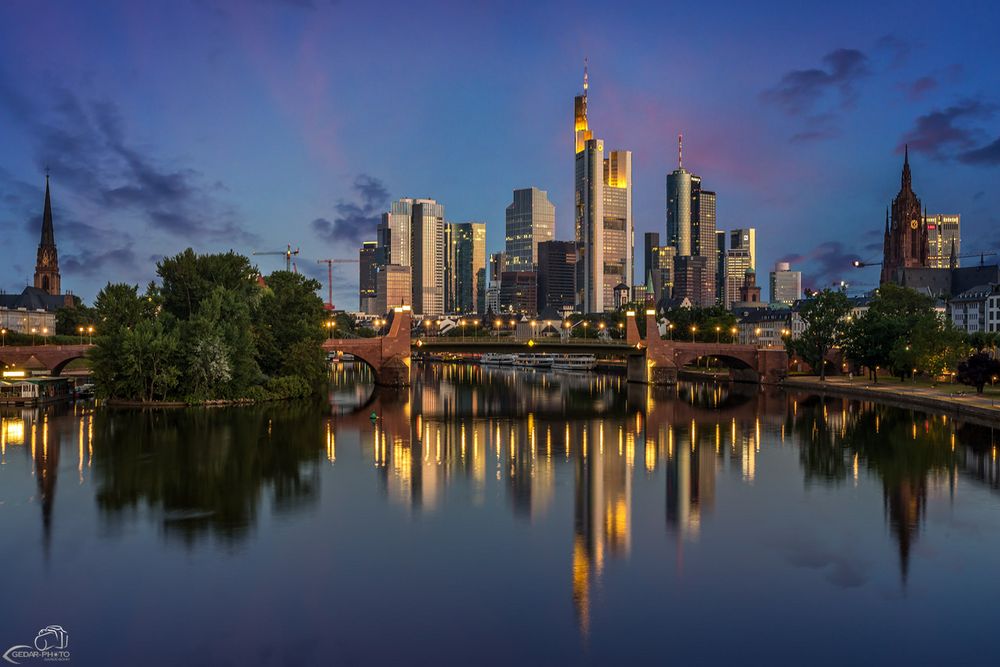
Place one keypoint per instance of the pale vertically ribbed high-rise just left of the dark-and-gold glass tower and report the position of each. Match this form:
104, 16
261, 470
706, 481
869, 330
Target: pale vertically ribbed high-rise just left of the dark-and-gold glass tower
427, 253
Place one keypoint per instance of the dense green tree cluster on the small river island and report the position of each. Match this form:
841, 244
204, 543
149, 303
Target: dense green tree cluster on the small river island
211, 329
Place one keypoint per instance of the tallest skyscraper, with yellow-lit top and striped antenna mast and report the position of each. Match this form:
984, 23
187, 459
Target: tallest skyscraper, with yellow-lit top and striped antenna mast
602, 214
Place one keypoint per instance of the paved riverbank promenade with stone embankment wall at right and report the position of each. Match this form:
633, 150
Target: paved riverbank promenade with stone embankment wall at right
948, 399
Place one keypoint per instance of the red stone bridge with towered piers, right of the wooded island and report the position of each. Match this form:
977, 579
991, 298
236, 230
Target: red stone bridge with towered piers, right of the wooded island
651, 360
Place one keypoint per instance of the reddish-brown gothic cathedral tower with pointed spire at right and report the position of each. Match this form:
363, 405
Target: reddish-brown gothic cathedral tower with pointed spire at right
905, 243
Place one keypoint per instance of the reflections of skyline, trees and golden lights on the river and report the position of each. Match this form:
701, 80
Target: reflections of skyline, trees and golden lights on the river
465, 435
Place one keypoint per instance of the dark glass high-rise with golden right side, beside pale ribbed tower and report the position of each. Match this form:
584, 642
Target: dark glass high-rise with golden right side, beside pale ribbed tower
465, 264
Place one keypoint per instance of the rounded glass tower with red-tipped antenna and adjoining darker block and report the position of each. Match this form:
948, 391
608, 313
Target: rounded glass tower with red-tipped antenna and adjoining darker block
691, 222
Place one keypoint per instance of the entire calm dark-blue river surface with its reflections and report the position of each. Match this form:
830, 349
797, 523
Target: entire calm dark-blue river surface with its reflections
502, 517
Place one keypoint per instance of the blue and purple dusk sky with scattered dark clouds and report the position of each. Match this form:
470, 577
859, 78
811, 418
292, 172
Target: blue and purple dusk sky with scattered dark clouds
253, 124
